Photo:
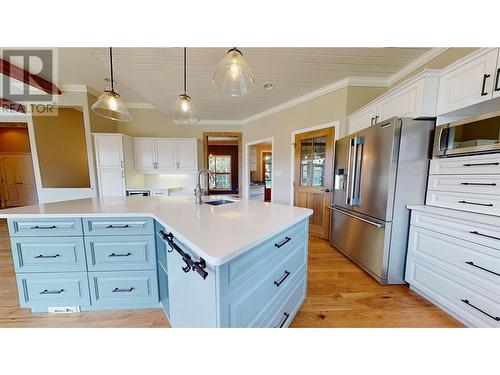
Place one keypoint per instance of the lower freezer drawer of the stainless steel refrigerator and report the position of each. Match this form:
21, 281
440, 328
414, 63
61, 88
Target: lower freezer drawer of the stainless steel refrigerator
362, 240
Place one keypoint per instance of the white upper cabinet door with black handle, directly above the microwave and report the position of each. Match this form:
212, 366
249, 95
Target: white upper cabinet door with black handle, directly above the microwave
469, 84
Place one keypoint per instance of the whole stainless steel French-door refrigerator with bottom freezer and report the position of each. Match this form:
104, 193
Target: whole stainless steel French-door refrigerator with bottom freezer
378, 172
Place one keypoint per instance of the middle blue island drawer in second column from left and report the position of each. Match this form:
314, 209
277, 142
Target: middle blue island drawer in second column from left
111, 253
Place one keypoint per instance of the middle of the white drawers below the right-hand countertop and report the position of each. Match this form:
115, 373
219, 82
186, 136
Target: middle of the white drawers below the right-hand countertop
478, 264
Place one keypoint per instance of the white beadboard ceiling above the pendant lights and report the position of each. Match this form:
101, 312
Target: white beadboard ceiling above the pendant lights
154, 75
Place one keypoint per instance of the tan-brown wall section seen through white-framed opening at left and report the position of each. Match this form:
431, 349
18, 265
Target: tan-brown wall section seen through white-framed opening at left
62, 150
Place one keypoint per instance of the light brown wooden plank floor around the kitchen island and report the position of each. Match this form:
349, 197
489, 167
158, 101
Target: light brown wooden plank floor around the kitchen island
339, 294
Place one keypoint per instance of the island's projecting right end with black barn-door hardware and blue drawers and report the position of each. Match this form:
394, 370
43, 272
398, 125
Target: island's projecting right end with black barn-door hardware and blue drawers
263, 287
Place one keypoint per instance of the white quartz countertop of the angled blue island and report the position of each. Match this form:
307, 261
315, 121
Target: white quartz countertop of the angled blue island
216, 233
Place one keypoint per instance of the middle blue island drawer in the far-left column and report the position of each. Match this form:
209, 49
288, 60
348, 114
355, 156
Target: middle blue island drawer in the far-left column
48, 254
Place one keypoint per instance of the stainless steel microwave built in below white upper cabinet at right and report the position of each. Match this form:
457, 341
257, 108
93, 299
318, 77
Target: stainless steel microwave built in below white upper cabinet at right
476, 135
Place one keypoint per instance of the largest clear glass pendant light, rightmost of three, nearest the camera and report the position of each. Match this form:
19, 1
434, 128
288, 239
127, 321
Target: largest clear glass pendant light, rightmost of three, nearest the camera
233, 75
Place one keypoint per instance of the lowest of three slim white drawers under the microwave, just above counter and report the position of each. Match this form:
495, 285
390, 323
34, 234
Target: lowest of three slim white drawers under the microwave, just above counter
480, 203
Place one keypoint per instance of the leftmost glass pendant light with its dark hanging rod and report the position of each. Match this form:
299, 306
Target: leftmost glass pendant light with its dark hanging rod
109, 104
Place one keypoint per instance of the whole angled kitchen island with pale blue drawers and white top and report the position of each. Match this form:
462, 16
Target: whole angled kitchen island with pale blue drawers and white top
241, 264
